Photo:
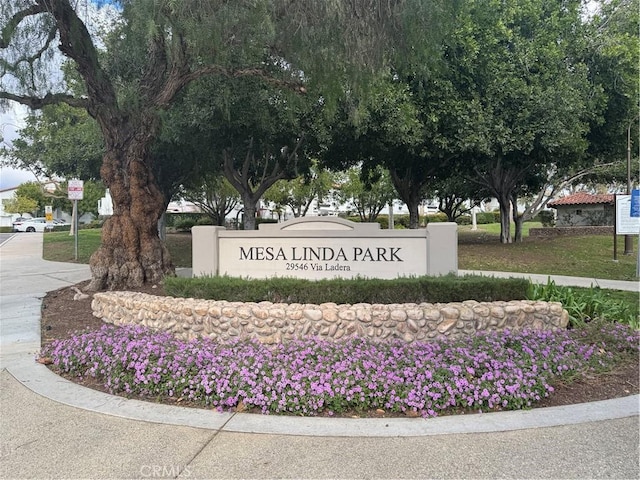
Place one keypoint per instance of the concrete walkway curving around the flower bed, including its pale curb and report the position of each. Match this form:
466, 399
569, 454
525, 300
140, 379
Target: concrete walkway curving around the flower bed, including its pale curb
52, 428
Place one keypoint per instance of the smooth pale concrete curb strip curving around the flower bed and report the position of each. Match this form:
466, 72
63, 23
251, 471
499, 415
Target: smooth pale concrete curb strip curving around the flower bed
44, 382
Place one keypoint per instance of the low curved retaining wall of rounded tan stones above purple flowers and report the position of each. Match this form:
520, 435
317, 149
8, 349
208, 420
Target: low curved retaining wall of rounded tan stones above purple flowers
273, 323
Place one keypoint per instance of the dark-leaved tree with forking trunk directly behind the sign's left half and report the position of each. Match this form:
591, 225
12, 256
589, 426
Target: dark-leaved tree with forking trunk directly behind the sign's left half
256, 134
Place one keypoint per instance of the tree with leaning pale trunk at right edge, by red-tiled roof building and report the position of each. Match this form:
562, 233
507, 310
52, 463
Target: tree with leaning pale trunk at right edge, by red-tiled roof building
610, 49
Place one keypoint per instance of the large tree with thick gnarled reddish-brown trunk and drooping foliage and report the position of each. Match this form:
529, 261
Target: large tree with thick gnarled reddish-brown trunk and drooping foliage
157, 49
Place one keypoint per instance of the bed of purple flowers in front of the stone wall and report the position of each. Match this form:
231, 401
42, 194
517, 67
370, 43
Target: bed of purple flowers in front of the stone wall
496, 371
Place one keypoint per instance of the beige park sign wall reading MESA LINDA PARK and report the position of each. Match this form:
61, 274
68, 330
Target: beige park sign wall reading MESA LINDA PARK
325, 247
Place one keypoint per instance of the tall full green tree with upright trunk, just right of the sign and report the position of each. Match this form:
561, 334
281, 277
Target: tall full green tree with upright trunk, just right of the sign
528, 90
